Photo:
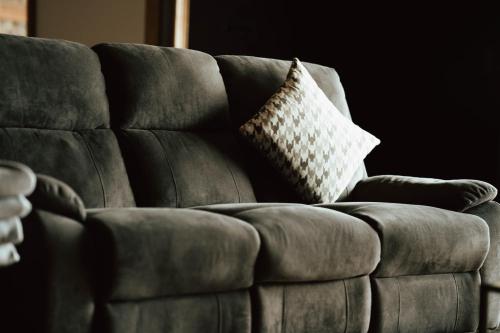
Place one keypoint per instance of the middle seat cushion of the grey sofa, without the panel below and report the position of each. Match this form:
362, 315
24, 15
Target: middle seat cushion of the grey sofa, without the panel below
300, 243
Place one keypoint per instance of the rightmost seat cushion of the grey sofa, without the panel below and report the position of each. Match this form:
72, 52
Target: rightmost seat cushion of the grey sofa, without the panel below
421, 239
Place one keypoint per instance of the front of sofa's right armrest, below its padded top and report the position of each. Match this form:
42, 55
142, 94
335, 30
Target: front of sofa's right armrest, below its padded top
490, 271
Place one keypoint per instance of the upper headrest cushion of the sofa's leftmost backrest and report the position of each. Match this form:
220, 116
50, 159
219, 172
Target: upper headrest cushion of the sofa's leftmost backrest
50, 84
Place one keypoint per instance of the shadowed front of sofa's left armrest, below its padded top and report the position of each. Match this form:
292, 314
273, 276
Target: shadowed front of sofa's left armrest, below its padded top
50, 289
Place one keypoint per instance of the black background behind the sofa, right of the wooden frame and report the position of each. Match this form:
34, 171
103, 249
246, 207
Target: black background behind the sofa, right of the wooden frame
425, 79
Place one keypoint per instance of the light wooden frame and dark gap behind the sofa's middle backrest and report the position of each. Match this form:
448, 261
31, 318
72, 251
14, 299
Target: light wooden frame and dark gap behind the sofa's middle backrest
167, 22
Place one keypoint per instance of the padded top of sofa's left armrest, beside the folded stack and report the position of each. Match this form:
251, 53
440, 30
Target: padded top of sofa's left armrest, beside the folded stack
55, 196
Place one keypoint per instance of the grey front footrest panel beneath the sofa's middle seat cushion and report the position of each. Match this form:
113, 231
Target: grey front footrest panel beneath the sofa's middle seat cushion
337, 306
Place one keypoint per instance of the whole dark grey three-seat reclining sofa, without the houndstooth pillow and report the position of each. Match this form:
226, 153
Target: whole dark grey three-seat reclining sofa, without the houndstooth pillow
151, 215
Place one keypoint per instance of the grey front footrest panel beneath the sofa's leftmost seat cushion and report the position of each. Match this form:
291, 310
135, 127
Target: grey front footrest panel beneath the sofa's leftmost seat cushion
210, 313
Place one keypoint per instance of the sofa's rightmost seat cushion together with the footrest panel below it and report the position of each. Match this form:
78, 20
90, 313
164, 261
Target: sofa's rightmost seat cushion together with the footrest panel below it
428, 276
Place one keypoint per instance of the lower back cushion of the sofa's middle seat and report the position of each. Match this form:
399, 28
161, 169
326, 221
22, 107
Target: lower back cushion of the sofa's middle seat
184, 169
